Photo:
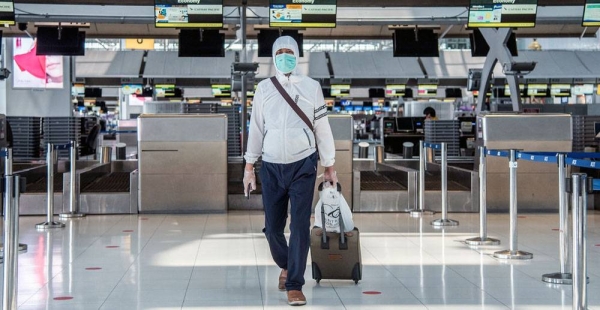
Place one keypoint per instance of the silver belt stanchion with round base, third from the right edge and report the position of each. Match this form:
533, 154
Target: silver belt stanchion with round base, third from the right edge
512, 252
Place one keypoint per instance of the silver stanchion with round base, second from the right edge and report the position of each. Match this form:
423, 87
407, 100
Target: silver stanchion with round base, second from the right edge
564, 276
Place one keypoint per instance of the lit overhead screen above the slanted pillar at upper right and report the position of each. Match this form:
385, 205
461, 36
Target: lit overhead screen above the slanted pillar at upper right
502, 13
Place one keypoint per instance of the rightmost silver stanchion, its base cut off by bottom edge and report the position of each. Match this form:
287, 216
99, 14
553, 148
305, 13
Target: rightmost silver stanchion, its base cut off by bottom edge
579, 204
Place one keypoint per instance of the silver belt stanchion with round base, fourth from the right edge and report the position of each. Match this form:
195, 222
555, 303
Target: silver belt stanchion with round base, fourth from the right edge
483, 239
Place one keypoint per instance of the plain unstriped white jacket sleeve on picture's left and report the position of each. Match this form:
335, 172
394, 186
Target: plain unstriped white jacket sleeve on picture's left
256, 132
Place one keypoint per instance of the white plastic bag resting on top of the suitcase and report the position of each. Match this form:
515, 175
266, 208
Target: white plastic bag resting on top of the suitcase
334, 206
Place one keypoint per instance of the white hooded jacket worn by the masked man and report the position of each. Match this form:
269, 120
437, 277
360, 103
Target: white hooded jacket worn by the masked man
277, 133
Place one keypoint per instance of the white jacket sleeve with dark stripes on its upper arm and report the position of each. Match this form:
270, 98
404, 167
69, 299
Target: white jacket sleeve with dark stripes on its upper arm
323, 133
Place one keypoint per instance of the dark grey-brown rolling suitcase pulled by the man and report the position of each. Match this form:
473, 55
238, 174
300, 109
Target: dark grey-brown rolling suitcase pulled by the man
335, 255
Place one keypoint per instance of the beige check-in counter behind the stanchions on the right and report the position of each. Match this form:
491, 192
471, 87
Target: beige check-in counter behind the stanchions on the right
537, 187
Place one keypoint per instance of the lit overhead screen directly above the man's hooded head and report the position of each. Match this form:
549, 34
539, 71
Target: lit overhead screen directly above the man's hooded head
302, 13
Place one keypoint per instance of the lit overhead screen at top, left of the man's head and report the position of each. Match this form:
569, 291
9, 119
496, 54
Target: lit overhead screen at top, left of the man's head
188, 13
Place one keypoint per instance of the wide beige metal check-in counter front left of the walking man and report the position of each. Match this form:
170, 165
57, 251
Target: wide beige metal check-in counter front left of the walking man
182, 163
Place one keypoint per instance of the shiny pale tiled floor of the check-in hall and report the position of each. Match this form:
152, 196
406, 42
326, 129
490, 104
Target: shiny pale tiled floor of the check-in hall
222, 262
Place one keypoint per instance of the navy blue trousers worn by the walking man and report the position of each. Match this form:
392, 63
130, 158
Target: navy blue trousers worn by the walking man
295, 183
